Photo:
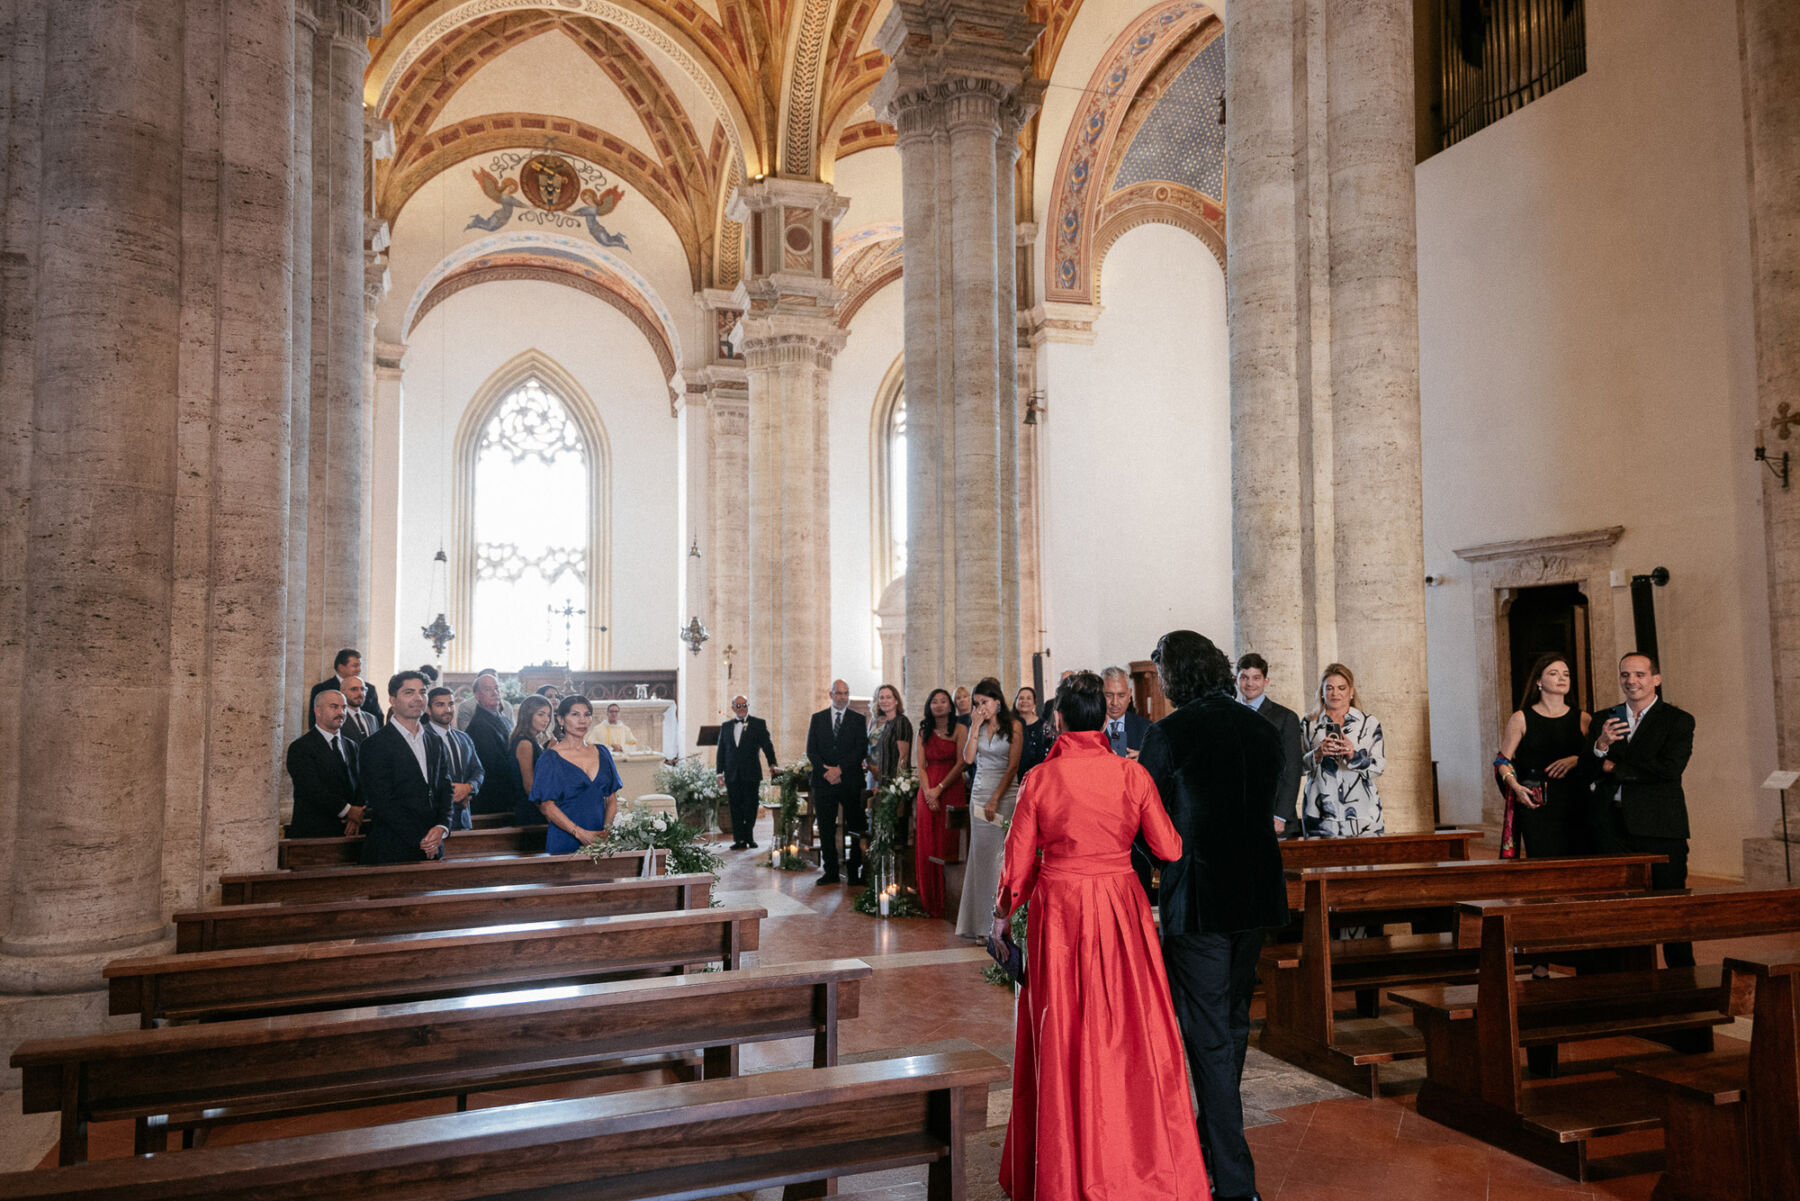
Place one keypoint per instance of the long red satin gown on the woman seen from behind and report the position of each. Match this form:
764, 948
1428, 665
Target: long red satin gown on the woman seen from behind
1101, 1090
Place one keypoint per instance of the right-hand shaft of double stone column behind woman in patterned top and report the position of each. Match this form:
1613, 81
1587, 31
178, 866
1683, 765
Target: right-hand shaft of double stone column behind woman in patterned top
1374, 345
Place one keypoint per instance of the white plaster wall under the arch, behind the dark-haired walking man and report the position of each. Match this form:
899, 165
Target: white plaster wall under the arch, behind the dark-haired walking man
1138, 460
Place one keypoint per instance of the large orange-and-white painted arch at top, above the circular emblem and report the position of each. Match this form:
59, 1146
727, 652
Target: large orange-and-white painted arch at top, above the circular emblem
699, 46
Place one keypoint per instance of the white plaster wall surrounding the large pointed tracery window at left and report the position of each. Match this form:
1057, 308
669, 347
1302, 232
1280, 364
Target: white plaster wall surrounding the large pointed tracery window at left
454, 352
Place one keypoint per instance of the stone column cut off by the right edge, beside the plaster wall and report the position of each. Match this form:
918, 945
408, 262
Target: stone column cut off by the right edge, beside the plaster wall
1770, 50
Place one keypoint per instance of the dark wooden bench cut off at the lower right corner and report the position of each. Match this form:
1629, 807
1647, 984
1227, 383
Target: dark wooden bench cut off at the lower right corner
1732, 1121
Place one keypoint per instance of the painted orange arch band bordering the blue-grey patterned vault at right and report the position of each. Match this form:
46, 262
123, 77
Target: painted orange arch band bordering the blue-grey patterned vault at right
1070, 264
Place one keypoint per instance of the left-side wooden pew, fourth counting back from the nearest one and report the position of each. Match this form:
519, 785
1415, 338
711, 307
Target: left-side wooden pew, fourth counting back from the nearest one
222, 928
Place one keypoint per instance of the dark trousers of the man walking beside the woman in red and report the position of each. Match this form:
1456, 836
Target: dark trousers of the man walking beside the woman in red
1210, 980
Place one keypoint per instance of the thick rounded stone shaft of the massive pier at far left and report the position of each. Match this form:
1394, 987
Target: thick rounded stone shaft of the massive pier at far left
100, 564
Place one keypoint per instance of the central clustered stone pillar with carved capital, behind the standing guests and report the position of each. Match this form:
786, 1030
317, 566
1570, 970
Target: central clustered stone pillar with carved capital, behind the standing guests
958, 91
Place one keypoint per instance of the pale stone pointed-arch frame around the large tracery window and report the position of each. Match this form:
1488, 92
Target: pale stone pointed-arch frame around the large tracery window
586, 415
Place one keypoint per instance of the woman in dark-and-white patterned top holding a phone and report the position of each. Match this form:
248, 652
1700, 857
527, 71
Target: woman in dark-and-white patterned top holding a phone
1344, 757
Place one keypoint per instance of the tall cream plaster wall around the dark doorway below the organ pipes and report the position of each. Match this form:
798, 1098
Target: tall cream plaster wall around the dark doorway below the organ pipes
1587, 361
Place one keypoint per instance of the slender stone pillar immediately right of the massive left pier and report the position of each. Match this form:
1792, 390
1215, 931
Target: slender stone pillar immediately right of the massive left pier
337, 595
